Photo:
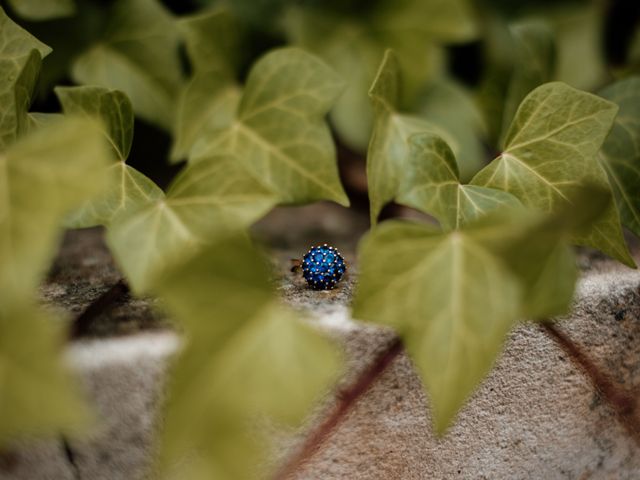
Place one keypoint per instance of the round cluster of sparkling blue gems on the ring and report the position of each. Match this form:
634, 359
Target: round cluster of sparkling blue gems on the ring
323, 267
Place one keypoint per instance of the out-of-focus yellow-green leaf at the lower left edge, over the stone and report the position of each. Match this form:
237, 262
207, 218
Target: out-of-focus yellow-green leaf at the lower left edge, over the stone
36, 394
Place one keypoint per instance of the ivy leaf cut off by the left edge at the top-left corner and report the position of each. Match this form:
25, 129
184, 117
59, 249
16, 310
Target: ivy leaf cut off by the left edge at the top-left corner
20, 56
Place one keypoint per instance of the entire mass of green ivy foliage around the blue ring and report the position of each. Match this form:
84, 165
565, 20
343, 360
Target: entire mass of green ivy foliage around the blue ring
256, 128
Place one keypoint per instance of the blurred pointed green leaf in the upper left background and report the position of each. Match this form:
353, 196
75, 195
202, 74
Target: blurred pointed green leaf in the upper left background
139, 56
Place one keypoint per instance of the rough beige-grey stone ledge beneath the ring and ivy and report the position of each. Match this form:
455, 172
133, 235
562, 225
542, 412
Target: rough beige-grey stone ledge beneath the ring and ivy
536, 416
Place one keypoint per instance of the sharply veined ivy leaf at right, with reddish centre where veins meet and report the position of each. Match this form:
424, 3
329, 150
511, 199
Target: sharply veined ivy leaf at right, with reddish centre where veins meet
551, 150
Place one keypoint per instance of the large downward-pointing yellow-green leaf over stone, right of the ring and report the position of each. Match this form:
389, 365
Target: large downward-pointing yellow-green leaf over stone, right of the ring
453, 328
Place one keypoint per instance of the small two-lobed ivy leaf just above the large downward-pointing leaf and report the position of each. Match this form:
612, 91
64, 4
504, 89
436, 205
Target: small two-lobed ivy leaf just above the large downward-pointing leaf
432, 185
